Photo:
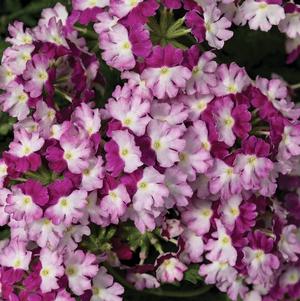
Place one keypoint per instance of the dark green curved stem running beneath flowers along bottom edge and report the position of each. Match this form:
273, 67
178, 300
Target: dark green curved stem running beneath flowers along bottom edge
158, 291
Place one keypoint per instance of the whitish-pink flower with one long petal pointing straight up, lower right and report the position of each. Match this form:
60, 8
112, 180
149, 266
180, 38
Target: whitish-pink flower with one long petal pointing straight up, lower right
221, 249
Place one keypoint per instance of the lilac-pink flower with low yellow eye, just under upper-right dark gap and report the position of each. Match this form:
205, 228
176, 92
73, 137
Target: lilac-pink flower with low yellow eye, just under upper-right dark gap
232, 79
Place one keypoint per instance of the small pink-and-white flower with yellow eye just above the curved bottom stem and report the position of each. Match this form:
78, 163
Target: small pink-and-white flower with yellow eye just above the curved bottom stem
171, 270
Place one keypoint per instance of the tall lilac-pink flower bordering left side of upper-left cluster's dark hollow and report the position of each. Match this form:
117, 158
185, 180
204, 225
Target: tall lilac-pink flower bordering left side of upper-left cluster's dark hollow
36, 74
